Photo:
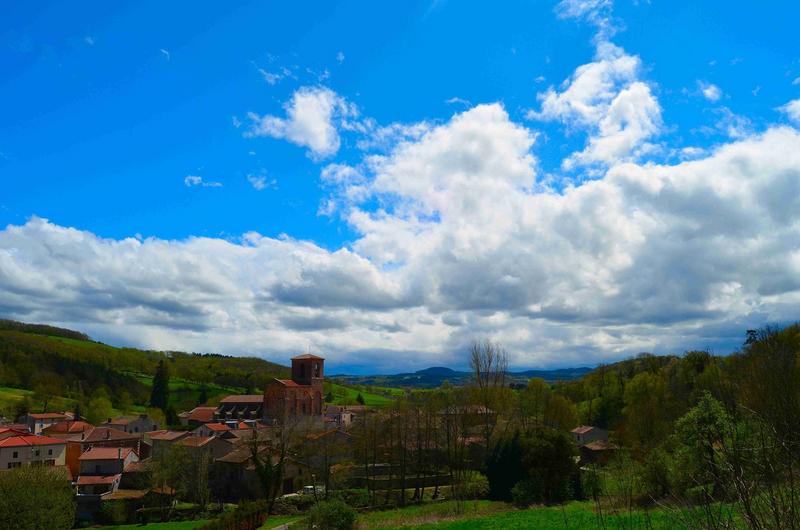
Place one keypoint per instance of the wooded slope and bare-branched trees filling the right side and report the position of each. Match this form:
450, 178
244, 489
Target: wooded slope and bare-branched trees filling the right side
715, 439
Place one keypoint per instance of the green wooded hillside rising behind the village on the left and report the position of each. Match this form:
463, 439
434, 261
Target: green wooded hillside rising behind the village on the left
53, 368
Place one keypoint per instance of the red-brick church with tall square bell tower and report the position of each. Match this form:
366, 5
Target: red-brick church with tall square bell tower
300, 396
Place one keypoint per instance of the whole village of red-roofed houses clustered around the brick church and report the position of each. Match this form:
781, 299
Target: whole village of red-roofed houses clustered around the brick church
289, 426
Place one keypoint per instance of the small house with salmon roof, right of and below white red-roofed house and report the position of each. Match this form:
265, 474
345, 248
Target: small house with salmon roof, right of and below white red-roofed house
101, 469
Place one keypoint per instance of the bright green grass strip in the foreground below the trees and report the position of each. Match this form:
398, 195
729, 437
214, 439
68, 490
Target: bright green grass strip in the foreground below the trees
487, 515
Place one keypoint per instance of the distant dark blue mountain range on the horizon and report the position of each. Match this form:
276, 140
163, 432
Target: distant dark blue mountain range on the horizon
436, 375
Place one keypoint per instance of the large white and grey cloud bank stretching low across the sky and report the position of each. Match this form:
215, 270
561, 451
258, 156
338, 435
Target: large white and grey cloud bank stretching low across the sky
465, 244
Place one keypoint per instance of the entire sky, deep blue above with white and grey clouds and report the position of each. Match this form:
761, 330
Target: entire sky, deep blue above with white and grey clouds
169, 123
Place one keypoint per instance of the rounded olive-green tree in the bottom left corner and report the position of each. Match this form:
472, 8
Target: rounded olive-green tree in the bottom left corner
36, 498
